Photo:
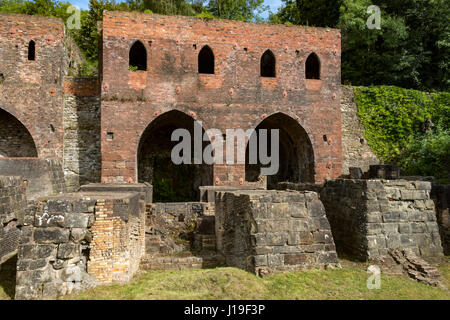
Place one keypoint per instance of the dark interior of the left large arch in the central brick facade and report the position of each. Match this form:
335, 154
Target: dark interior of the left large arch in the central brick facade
171, 183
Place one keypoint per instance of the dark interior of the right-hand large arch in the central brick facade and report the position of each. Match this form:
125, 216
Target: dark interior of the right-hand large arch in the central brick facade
296, 154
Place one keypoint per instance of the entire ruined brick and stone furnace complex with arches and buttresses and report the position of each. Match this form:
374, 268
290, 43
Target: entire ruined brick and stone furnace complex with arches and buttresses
89, 194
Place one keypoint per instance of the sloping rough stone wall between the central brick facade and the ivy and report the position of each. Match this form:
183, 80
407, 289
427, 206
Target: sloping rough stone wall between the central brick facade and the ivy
355, 150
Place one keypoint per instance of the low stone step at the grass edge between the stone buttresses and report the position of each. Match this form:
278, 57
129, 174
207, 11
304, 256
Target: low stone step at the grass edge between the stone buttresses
171, 262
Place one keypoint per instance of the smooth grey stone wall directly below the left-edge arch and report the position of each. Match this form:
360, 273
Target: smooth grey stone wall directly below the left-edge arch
43, 176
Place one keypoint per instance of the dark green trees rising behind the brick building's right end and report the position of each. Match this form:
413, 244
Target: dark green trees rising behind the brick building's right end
412, 49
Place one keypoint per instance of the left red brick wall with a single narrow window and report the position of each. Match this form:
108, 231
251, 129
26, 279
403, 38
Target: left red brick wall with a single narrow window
32, 90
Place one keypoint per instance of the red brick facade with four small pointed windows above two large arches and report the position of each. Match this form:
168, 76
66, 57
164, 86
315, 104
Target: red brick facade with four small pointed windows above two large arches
234, 97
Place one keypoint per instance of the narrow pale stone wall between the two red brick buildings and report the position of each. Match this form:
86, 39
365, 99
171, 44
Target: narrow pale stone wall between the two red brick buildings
82, 159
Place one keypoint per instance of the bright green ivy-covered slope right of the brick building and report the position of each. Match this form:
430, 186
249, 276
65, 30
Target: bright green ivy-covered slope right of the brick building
407, 127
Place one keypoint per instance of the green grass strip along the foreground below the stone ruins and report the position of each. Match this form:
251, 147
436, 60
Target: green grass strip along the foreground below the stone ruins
230, 283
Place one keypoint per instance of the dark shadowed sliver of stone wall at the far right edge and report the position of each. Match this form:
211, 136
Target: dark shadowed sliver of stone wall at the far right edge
441, 196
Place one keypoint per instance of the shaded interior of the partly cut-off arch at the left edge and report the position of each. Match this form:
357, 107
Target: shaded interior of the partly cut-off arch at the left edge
15, 140
